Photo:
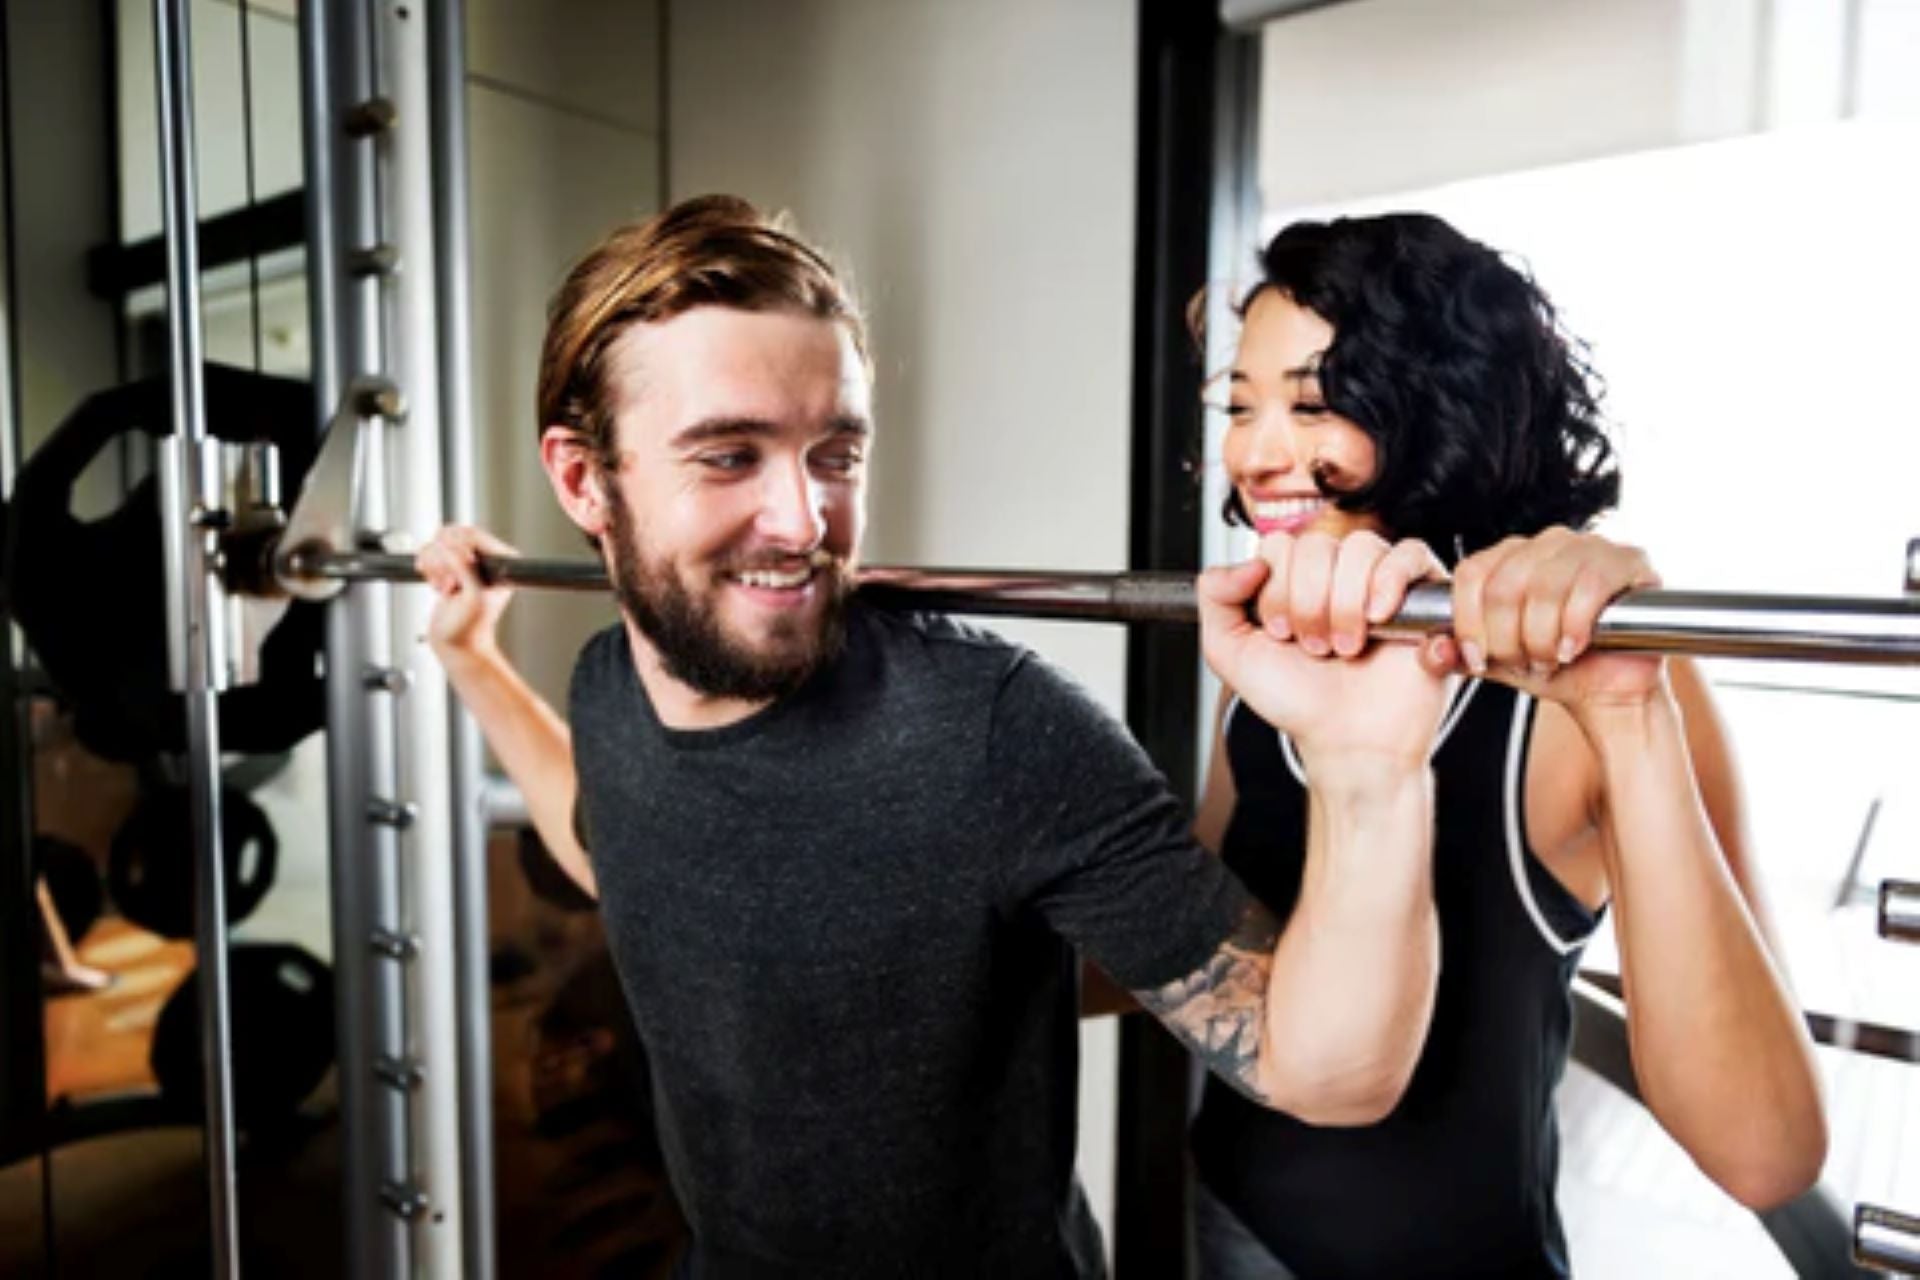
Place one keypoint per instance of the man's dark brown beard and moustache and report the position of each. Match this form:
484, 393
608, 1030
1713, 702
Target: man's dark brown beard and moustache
692, 642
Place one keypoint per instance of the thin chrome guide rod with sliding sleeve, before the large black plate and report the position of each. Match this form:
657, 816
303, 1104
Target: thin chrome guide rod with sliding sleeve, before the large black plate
191, 498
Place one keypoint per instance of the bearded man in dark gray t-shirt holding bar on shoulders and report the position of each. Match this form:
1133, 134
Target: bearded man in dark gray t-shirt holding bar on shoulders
846, 857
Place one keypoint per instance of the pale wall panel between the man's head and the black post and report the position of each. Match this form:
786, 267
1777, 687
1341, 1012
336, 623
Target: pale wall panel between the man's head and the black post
974, 166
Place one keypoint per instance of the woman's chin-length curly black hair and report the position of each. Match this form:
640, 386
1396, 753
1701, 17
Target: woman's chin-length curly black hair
1483, 412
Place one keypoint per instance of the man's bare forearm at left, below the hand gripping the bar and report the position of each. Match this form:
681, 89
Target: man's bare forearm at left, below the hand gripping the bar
531, 742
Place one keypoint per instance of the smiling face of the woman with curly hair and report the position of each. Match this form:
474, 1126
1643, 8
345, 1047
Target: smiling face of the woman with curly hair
1280, 433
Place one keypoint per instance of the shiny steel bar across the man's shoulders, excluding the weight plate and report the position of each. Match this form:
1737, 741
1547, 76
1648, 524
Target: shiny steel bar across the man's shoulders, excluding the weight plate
1712, 625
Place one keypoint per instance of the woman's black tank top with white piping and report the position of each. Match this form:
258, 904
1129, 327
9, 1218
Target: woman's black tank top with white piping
1460, 1179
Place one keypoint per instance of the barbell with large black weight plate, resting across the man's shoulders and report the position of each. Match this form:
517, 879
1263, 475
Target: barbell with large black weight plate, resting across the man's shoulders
95, 617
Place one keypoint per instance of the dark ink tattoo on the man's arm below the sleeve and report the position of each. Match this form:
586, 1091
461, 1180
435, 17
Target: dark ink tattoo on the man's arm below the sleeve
1220, 1008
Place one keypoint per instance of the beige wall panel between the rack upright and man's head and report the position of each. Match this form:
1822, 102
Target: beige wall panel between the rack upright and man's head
565, 141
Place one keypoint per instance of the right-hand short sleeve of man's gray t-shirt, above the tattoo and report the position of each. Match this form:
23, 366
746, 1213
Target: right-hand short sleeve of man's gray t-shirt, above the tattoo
1093, 840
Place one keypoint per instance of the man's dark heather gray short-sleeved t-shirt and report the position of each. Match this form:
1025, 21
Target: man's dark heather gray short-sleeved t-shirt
846, 928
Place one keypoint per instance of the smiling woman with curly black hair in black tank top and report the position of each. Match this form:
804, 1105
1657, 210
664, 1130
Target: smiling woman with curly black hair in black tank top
1397, 381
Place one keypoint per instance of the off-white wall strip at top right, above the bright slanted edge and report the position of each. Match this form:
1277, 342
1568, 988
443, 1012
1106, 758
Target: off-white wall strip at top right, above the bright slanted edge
1399, 95
